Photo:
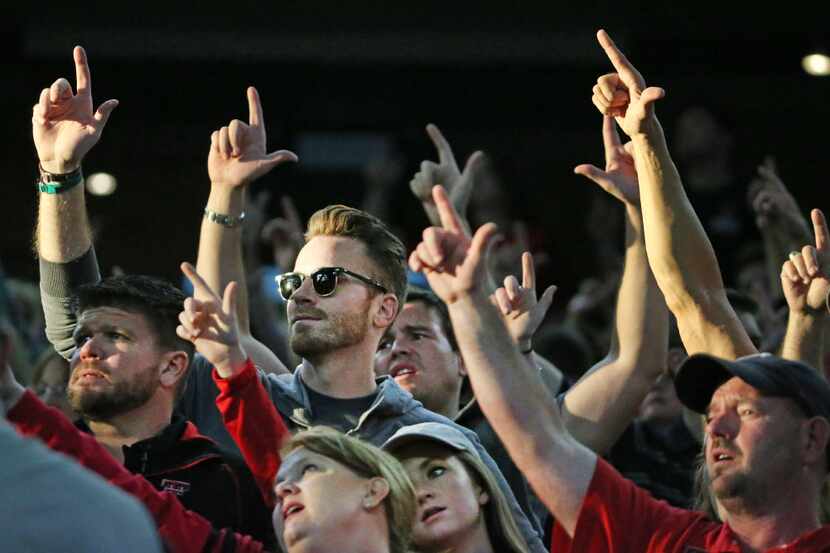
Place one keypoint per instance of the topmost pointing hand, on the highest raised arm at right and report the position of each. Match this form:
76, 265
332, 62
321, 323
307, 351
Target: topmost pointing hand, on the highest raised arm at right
624, 94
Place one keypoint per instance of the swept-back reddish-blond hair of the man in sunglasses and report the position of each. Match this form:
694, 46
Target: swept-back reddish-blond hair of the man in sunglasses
384, 248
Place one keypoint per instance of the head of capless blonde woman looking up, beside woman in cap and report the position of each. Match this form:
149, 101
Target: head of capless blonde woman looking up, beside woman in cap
337, 493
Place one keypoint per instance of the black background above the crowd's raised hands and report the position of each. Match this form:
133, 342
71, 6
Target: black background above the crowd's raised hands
513, 79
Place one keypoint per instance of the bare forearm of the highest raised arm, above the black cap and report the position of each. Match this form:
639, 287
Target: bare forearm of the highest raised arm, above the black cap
681, 256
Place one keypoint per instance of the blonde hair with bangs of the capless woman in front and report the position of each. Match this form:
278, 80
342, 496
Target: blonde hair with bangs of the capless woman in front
367, 461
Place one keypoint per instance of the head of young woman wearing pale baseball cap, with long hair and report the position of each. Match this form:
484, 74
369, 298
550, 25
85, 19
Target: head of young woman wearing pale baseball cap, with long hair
460, 506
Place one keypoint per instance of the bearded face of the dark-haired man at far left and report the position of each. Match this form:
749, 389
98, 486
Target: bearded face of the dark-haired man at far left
116, 365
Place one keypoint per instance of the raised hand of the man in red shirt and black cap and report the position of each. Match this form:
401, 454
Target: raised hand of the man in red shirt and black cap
454, 264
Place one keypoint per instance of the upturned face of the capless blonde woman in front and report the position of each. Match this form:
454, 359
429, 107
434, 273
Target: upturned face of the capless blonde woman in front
318, 502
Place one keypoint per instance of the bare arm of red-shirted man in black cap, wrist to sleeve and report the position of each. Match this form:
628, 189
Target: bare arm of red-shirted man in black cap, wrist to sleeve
524, 415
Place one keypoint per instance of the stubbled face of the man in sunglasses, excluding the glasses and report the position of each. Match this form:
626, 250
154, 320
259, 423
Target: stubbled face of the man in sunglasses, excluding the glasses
319, 325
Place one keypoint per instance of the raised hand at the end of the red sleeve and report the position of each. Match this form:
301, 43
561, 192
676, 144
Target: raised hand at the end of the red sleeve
211, 324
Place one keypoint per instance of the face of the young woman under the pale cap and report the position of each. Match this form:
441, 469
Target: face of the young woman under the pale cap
450, 502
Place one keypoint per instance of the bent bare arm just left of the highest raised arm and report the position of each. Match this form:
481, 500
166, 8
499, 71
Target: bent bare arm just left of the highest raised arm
602, 404
